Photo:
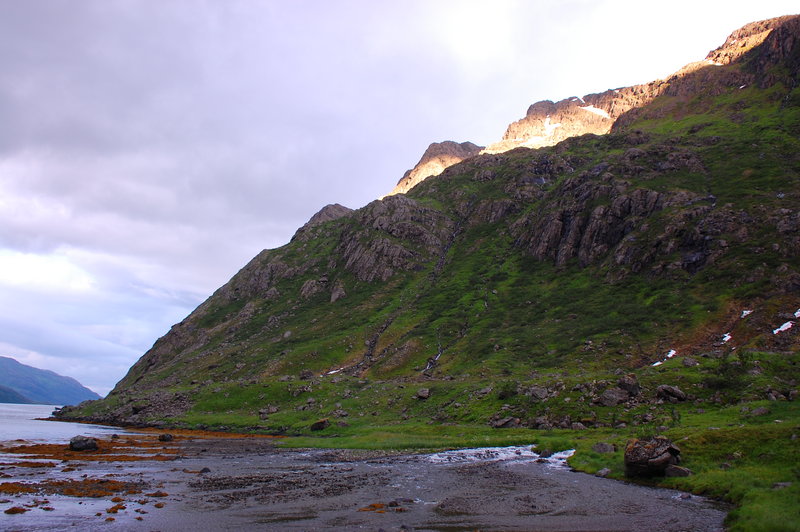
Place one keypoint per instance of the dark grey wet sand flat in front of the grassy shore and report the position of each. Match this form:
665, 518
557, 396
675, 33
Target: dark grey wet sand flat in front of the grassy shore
251, 484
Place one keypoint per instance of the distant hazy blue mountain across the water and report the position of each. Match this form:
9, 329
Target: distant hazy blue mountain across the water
34, 385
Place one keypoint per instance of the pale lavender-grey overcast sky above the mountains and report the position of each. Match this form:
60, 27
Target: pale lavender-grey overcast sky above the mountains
149, 149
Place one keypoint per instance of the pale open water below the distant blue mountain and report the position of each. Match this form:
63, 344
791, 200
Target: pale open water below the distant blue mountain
18, 422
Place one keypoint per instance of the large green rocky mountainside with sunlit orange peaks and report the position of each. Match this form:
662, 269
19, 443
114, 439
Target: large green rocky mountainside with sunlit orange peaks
517, 286
